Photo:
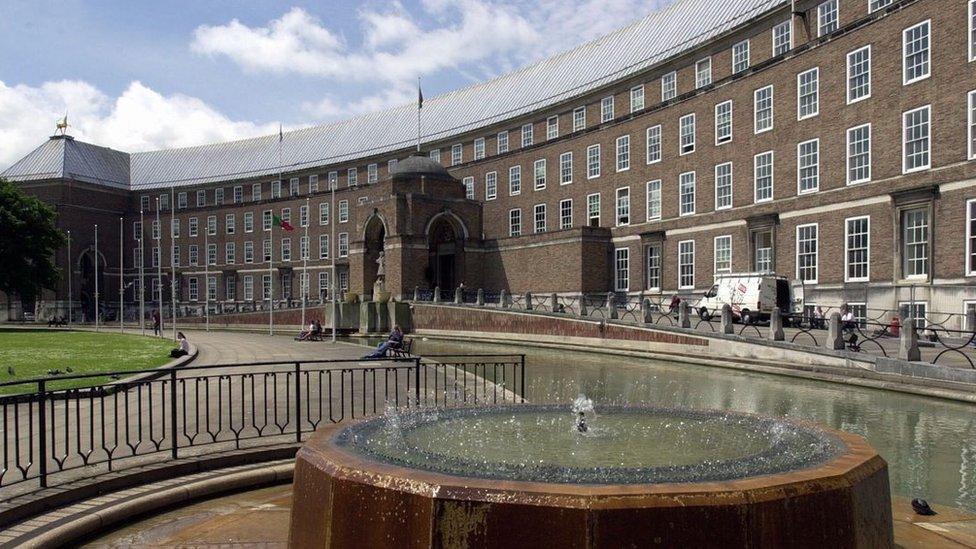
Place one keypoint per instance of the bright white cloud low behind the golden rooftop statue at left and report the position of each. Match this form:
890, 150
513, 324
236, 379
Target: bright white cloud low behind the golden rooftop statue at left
137, 120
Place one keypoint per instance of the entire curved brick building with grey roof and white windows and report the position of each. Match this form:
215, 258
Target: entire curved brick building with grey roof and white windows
828, 141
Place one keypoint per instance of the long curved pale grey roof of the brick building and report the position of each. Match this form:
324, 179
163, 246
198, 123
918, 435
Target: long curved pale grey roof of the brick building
634, 48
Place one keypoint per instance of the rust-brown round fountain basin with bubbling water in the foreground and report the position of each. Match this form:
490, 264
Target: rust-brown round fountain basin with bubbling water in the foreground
525, 476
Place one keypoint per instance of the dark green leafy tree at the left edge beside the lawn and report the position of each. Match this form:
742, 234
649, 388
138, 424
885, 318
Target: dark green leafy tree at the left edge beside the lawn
29, 238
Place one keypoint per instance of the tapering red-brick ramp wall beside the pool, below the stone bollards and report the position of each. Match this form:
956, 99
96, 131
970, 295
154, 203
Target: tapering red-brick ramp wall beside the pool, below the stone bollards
442, 317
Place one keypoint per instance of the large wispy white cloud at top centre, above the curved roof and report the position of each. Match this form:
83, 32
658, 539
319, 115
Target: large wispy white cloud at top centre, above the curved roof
475, 38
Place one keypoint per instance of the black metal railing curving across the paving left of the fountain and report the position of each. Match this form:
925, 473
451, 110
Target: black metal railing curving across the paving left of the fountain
51, 436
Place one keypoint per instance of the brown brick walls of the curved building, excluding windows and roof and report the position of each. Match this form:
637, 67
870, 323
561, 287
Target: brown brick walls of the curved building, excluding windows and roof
581, 258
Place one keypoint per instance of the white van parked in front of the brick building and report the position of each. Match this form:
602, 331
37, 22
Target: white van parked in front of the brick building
752, 296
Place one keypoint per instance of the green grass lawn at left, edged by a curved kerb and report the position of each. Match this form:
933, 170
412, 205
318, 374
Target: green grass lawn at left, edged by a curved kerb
33, 353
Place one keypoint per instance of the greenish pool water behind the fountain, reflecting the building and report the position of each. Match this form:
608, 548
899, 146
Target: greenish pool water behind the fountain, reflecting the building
930, 444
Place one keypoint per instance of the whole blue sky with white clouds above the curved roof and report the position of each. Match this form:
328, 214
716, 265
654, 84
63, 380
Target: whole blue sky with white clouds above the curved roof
139, 75
